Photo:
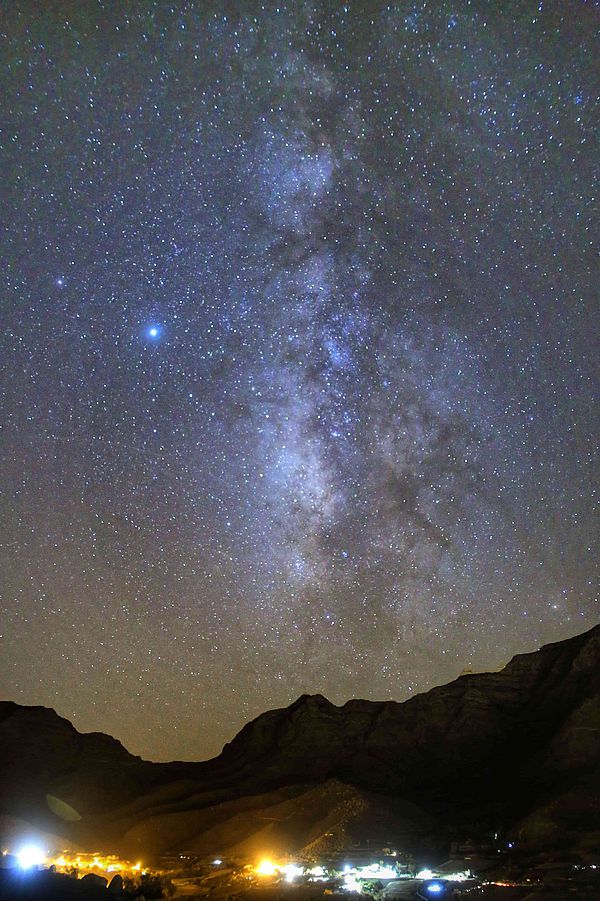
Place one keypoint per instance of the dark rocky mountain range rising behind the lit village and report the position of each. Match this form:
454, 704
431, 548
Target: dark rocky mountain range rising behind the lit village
518, 749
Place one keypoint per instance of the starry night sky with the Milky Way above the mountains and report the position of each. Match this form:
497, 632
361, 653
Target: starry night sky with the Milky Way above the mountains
298, 356
